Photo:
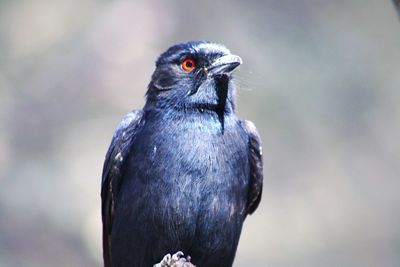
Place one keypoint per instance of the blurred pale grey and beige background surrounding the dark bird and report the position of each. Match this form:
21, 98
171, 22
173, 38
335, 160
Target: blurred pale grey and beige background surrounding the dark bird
320, 79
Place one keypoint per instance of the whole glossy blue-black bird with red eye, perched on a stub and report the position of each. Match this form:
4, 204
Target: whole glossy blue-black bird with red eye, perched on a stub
184, 172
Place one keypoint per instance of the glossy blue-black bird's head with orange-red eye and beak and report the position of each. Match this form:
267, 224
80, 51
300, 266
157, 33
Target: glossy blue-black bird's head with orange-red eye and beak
194, 76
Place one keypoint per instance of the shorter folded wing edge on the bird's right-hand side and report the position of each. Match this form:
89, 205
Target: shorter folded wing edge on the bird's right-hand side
256, 167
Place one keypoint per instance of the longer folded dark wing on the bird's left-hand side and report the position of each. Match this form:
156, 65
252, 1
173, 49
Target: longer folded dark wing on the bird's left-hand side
112, 171
